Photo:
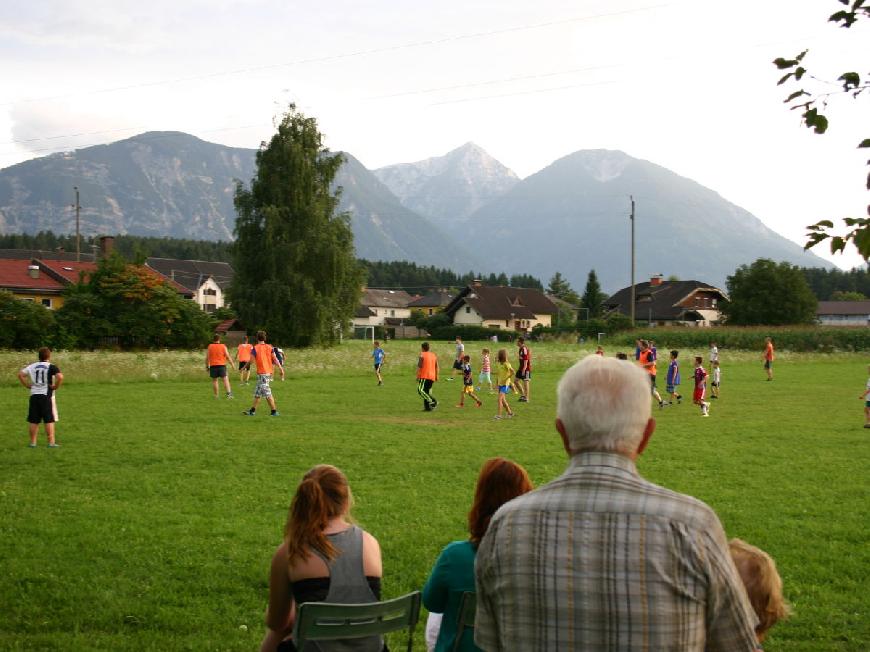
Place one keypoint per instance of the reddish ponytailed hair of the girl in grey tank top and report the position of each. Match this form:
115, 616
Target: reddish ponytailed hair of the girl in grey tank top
322, 495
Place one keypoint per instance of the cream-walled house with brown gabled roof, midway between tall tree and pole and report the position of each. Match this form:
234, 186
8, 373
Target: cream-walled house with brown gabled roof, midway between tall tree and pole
501, 308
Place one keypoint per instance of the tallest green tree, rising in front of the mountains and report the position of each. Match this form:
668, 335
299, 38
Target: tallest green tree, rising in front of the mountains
295, 271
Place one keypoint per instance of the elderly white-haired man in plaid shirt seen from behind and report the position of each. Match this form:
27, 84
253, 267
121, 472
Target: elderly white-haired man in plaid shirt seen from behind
599, 558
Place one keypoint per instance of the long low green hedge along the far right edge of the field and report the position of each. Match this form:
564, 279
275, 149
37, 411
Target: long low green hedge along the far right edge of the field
794, 338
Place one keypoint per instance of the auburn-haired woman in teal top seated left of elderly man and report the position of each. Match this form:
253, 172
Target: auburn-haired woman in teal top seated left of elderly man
500, 480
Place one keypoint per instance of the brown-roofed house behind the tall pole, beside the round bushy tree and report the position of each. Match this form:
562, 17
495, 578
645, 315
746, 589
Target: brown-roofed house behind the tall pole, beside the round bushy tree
661, 302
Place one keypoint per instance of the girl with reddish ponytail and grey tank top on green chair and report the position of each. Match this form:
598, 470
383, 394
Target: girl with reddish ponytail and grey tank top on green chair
325, 557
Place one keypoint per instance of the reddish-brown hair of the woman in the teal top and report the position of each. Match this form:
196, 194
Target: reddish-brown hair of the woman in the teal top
500, 480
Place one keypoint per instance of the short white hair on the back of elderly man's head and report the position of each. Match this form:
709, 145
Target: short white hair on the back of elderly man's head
604, 404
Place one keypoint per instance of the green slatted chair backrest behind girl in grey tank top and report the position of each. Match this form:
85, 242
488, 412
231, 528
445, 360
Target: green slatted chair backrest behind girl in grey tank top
327, 621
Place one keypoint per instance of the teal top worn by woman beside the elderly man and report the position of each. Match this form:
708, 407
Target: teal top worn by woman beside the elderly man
452, 575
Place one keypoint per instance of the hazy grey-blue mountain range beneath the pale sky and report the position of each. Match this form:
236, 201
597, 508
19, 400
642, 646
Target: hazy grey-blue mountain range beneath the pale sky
463, 211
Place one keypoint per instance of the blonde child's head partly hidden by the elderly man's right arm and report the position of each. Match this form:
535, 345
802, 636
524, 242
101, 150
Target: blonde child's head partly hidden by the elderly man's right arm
763, 585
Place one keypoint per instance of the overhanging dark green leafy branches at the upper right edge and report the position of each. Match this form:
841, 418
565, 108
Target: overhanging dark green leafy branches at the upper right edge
813, 106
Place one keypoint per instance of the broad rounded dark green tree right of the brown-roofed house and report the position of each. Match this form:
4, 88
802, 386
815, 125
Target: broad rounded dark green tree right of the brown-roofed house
770, 294
